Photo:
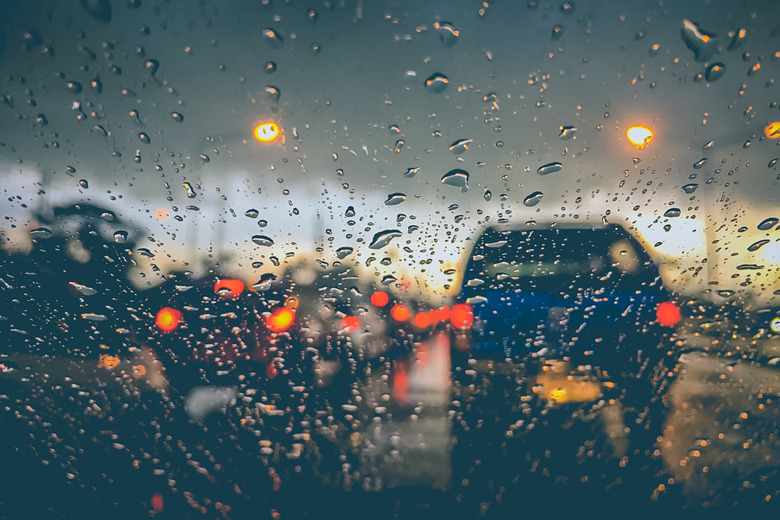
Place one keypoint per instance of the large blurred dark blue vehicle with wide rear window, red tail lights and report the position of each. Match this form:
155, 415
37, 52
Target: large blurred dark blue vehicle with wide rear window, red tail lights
586, 295
